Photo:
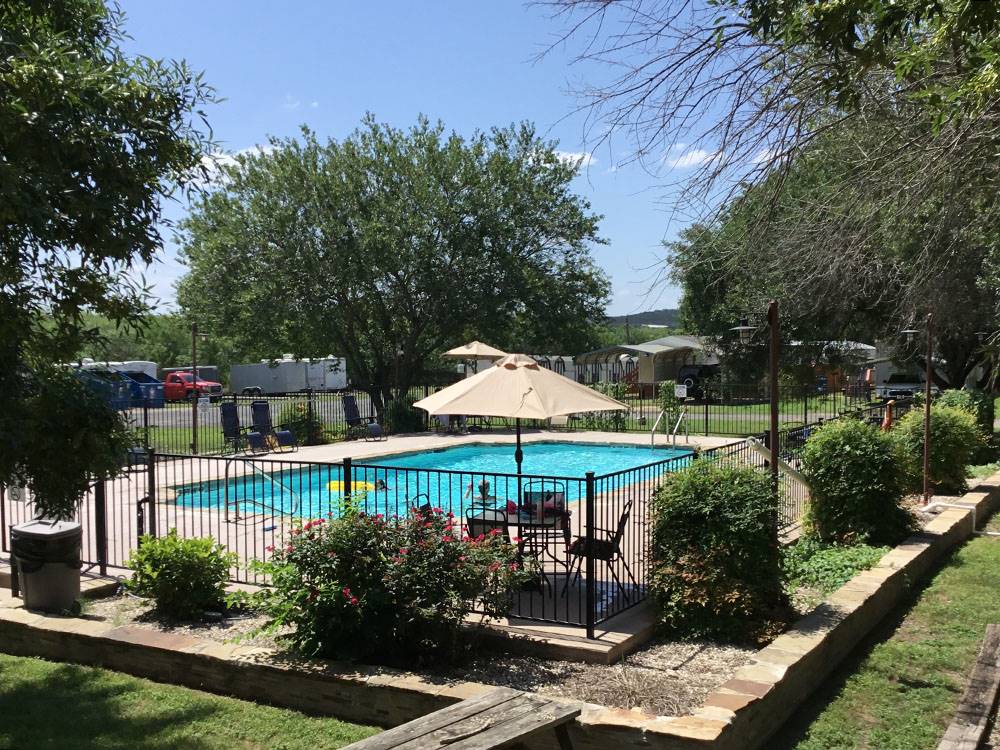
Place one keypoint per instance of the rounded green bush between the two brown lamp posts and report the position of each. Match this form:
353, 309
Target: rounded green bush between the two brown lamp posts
857, 480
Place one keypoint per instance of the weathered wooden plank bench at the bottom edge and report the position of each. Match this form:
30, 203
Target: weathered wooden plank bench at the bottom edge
497, 719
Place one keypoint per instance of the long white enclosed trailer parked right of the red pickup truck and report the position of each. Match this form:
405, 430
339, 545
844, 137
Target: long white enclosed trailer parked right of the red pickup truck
289, 375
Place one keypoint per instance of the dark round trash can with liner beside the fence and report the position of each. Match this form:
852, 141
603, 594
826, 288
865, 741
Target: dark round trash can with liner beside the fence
45, 570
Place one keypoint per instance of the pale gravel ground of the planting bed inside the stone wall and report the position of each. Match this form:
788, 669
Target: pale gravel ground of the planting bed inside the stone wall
663, 678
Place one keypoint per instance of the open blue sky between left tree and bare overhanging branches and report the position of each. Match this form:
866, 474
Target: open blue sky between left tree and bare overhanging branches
470, 64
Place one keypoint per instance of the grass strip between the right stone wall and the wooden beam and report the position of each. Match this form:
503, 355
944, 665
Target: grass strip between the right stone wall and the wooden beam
901, 692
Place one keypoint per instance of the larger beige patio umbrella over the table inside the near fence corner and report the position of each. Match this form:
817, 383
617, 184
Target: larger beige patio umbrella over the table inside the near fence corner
517, 387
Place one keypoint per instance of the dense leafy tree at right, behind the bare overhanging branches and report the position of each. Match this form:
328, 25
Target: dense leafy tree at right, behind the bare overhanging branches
844, 263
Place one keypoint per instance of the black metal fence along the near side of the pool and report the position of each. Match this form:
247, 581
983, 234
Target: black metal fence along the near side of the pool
250, 504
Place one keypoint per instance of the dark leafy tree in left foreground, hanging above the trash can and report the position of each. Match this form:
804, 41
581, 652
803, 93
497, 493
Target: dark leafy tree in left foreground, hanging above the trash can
92, 142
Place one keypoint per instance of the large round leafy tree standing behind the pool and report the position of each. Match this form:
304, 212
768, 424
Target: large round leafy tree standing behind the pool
392, 245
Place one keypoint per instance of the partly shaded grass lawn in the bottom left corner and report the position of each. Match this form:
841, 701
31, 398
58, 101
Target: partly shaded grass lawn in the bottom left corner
51, 705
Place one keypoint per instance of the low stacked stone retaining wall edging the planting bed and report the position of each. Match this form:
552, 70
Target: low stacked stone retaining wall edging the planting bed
742, 713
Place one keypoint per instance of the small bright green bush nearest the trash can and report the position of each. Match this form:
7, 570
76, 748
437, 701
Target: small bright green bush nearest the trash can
184, 577
